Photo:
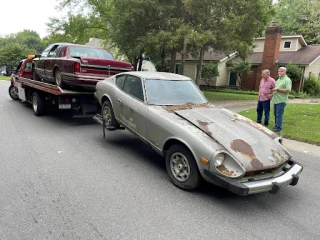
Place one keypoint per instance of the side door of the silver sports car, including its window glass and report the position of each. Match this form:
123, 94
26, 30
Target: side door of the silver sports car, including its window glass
132, 109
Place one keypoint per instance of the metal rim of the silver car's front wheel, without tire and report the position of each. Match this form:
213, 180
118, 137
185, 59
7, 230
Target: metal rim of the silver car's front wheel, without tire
180, 167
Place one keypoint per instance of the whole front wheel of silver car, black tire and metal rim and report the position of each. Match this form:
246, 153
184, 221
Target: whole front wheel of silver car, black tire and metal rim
182, 168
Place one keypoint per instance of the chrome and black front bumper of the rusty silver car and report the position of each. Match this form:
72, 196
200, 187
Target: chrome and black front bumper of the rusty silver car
290, 176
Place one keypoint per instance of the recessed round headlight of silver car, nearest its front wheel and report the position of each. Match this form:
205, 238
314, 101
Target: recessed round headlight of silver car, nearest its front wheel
226, 165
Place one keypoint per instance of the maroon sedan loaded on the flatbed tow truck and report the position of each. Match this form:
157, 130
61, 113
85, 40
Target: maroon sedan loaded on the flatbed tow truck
75, 65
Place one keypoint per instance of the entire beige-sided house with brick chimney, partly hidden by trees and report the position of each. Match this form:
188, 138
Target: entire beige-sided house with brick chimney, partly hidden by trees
272, 51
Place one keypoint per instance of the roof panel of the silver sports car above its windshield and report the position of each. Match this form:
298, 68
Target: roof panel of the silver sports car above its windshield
158, 75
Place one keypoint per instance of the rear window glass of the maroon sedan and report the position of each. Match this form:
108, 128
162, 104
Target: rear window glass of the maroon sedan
76, 51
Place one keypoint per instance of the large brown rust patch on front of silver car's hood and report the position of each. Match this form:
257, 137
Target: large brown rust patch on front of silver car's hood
238, 145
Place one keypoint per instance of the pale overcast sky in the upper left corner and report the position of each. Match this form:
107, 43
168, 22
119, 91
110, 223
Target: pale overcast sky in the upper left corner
17, 15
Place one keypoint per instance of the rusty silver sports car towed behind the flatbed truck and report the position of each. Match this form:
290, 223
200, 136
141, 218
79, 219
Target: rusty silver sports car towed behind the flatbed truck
197, 139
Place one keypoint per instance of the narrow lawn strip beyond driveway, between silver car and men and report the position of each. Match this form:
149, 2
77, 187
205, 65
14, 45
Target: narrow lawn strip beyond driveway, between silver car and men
229, 95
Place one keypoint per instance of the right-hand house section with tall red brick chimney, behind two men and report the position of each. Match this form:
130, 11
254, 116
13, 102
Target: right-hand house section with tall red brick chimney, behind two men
275, 50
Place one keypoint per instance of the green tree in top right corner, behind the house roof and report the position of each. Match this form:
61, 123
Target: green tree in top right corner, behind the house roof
299, 17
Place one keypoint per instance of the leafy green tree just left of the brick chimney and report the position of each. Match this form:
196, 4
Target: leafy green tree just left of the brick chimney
228, 25
